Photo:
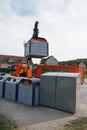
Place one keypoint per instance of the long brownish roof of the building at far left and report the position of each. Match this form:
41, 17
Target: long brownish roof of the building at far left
11, 59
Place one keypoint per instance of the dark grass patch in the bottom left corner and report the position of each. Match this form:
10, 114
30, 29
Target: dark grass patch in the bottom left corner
6, 124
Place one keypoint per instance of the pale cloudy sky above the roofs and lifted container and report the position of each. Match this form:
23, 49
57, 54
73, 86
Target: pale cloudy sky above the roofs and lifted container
63, 23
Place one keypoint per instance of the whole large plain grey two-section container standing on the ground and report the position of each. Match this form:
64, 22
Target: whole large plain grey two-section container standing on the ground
61, 90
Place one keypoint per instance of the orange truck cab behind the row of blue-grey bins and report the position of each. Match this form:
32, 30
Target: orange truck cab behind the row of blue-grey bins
21, 70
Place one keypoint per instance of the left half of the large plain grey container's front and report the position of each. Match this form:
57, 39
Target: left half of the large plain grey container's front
47, 90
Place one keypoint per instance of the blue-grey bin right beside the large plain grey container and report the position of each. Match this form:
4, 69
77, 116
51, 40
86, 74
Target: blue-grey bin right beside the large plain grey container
28, 91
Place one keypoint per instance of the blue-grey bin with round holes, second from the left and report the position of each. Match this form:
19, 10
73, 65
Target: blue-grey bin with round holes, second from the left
11, 88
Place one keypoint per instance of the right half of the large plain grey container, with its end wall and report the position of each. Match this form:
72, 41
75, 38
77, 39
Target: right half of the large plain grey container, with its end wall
68, 92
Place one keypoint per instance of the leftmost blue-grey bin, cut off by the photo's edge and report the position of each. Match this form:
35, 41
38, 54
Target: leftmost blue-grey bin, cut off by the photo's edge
2, 85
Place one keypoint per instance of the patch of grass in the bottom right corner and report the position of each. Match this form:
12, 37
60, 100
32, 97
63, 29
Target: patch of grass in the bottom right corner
78, 124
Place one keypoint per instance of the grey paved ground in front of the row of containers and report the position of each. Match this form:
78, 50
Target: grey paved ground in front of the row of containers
41, 118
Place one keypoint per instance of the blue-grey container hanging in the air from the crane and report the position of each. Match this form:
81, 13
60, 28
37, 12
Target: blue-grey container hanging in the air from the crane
36, 49
